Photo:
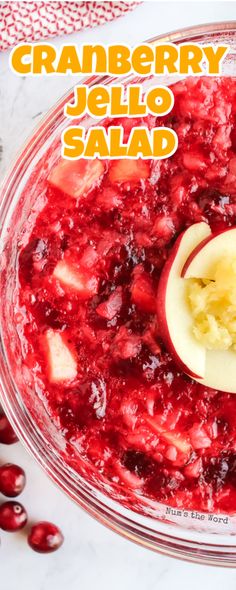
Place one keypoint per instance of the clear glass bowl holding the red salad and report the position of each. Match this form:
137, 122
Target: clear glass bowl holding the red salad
190, 536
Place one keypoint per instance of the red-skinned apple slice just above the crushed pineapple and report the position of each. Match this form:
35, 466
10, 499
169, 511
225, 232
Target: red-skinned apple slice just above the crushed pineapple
202, 262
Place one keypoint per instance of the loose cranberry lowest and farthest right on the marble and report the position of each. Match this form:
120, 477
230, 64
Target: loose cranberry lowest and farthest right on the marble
45, 537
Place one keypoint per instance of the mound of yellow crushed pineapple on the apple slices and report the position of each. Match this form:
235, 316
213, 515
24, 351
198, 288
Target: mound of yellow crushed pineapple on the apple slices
213, 307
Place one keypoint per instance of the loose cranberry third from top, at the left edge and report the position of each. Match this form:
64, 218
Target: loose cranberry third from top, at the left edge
13, 516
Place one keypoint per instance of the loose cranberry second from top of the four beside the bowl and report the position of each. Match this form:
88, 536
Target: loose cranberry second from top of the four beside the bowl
12, 480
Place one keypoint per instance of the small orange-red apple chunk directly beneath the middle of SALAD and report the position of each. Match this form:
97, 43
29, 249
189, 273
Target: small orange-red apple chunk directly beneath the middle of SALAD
128, 171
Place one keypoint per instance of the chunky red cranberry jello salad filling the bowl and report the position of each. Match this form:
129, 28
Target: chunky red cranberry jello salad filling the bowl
88, 280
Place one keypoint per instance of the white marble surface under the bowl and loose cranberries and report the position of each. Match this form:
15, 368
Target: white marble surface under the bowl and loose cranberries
92, 556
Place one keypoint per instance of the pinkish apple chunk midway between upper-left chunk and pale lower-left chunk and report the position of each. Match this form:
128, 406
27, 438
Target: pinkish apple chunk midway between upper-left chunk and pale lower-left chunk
84, 284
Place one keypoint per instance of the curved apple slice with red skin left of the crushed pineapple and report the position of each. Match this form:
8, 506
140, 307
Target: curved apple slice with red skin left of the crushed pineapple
174, 317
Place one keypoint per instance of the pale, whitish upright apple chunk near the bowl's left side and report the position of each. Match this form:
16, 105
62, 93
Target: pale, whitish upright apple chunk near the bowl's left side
61, 361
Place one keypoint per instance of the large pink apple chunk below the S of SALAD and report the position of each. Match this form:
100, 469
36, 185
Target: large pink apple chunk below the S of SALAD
76, 177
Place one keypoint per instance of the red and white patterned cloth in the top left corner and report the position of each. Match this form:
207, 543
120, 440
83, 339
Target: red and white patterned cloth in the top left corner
32, 21
